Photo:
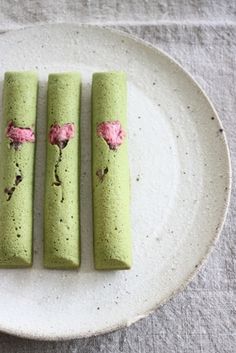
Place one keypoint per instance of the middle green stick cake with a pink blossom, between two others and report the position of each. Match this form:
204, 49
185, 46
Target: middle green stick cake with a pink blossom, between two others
61, 221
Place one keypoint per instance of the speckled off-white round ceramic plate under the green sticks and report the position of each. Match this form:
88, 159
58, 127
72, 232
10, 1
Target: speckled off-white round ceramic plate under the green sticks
180, 176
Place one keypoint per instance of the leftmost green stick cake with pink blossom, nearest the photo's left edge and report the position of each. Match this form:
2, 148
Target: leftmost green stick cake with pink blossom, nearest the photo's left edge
17, 168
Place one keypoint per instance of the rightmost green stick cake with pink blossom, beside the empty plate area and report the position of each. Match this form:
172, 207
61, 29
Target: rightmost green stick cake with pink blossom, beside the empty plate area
111, 189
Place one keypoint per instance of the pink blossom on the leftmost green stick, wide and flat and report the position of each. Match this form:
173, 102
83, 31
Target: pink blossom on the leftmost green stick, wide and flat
18, 135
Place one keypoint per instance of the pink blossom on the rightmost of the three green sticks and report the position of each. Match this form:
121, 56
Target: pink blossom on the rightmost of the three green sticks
112, 132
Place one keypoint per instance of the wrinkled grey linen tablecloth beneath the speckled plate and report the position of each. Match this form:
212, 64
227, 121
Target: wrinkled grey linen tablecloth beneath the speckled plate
201, 35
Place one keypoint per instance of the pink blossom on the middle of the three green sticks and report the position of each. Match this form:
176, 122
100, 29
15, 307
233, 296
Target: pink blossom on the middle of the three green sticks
61, 134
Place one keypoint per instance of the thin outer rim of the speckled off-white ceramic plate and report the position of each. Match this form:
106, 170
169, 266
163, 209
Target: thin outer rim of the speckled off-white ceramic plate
124, 324
